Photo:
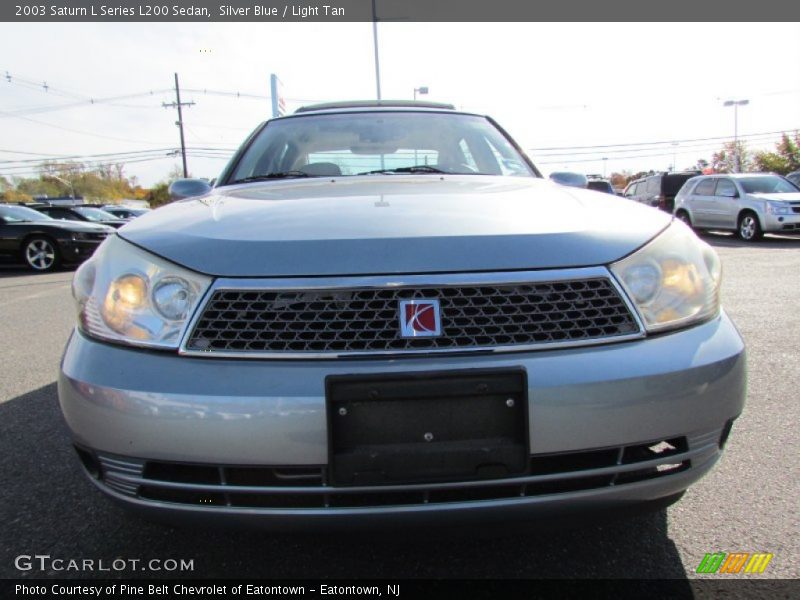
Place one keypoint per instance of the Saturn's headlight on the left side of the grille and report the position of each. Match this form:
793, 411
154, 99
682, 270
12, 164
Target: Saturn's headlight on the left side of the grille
125, 294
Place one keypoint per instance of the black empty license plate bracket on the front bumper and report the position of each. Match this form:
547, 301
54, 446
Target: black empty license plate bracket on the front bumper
404, 428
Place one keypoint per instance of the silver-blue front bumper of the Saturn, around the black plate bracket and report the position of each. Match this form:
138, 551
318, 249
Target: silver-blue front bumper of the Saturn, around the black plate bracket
152, 426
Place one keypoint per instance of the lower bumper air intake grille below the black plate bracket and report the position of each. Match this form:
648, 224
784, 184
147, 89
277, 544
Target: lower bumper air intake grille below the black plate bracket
308, 488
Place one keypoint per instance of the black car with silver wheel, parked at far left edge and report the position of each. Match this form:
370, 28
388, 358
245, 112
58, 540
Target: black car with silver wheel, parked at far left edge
43, 243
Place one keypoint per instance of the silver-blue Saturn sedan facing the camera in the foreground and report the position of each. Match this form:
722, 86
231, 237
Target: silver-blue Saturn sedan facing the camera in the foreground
383, 314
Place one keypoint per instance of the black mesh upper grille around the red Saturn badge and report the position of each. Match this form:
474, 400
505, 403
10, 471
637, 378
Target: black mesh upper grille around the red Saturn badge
365, 321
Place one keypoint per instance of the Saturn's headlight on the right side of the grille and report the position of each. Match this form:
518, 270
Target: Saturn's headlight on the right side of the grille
673, 281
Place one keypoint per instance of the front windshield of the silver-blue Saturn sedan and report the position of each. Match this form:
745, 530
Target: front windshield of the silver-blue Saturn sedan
379, 143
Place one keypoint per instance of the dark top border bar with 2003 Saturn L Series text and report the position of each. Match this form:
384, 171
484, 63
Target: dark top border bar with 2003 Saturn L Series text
339, 11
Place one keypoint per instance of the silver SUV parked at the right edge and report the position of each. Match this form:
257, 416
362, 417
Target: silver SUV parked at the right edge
748, 203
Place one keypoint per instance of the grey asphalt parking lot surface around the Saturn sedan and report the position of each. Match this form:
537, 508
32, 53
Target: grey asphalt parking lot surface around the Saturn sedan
747, 504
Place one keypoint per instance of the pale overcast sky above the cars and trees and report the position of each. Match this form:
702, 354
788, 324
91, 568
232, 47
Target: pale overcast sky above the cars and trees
549, 85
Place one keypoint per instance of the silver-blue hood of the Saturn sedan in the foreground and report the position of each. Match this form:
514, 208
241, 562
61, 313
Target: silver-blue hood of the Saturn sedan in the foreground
394, 224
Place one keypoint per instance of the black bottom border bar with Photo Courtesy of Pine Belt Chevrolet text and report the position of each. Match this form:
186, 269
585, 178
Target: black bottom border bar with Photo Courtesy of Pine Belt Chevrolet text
108, 587
